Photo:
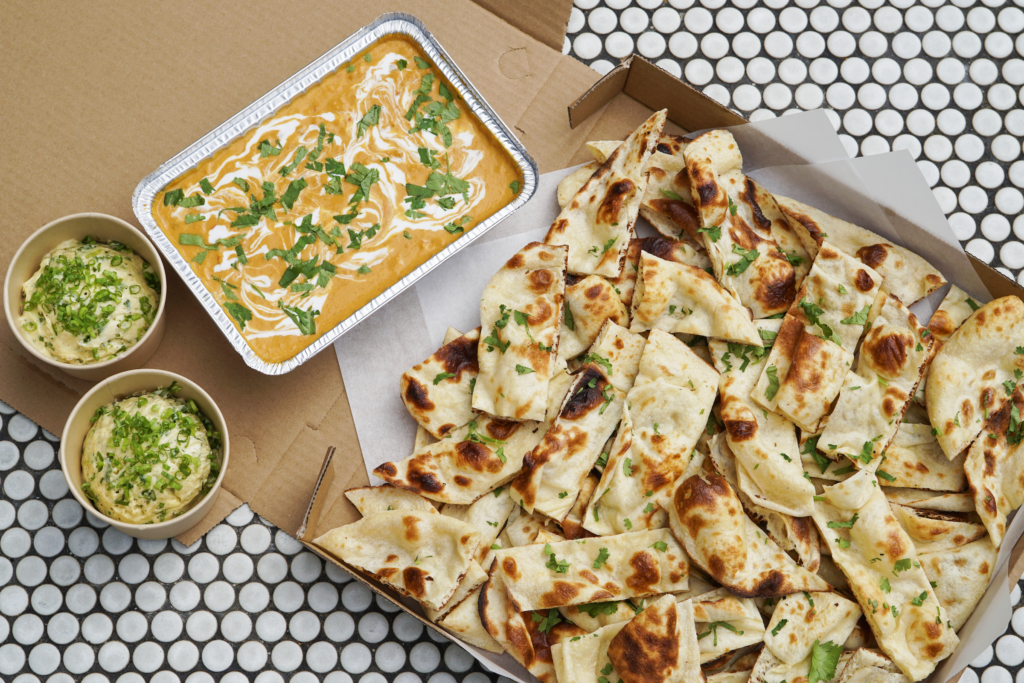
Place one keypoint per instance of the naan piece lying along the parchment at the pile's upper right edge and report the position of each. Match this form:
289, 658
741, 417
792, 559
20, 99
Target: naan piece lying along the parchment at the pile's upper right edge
908, 276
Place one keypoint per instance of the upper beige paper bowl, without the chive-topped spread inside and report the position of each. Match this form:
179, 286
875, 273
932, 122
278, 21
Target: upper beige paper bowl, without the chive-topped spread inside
77, 227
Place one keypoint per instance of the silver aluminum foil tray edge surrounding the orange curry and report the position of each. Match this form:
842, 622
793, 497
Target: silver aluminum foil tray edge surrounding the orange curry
255, 114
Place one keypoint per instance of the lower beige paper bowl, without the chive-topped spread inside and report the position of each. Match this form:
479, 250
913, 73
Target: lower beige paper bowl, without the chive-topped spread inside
115, 389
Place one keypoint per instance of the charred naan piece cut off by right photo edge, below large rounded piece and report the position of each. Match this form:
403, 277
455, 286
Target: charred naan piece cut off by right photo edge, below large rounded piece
995, 468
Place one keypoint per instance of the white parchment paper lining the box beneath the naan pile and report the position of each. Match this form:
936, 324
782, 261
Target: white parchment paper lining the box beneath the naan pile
884, 193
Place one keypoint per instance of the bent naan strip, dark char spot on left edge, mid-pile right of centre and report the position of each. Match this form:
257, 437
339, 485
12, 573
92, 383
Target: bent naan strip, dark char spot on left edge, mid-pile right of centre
769, 466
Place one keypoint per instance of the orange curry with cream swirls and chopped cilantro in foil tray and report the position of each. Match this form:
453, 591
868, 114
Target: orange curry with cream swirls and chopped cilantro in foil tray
344, 192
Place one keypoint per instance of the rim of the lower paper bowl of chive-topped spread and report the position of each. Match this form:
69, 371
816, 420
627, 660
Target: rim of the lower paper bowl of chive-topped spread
217, 416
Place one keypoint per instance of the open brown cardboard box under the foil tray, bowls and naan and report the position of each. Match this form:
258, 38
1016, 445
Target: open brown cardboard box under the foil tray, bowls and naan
101, 95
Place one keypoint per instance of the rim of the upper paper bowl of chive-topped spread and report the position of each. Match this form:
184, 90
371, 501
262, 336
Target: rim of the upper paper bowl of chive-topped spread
156, 262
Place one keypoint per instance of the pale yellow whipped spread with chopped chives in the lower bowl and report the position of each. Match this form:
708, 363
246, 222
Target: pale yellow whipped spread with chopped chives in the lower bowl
149, 458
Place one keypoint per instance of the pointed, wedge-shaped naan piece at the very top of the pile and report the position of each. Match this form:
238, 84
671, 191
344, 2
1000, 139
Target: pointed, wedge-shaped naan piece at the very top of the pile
599, 222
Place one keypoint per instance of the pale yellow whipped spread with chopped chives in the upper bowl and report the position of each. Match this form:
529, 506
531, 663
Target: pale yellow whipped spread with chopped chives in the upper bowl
90, 302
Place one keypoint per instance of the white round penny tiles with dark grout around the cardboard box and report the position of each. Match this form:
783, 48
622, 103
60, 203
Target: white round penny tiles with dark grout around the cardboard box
80, 602
